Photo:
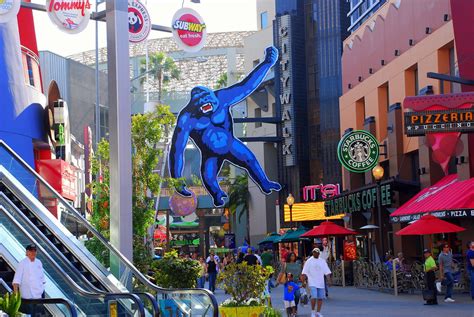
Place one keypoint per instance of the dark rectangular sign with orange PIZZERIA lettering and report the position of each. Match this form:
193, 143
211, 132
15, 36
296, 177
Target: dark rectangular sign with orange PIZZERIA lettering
453, 120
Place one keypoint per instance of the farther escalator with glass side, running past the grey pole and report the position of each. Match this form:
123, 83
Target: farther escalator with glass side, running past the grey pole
26, 195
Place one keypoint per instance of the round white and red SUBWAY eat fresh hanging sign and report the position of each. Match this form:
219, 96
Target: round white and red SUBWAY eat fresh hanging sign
189, 30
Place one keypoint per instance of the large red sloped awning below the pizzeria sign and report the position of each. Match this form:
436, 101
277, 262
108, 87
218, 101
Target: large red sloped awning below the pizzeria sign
449, 197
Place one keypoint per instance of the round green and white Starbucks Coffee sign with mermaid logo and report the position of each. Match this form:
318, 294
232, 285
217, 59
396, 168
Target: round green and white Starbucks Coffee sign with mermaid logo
358, 151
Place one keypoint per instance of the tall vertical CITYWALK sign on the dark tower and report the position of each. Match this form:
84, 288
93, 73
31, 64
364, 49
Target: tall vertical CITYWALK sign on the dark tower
286, 101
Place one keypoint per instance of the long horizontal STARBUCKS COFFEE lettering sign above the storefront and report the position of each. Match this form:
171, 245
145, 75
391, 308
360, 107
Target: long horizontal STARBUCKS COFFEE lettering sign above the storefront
358, 201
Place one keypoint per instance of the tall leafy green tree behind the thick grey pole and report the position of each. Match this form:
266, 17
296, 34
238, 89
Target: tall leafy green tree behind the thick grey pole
148, 132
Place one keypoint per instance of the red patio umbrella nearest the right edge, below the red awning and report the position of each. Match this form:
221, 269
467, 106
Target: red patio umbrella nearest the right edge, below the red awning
429, 224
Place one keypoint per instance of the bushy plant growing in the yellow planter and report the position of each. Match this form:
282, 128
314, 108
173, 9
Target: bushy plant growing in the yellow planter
244, 283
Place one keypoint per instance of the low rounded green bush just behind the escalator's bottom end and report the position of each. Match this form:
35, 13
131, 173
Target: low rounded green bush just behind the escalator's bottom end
174, 272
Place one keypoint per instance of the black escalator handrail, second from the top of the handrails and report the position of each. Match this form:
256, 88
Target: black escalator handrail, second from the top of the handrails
65, 260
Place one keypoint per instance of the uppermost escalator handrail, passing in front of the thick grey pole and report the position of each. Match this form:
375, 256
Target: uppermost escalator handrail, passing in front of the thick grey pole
104, 241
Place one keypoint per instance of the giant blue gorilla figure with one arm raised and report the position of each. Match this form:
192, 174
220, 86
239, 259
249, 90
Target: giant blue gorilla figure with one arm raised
207, 120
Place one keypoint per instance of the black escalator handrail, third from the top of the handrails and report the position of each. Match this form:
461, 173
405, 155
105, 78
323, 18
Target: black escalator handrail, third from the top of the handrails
70, 281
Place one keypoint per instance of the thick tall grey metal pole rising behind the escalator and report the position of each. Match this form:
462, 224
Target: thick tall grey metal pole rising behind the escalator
121, 232
